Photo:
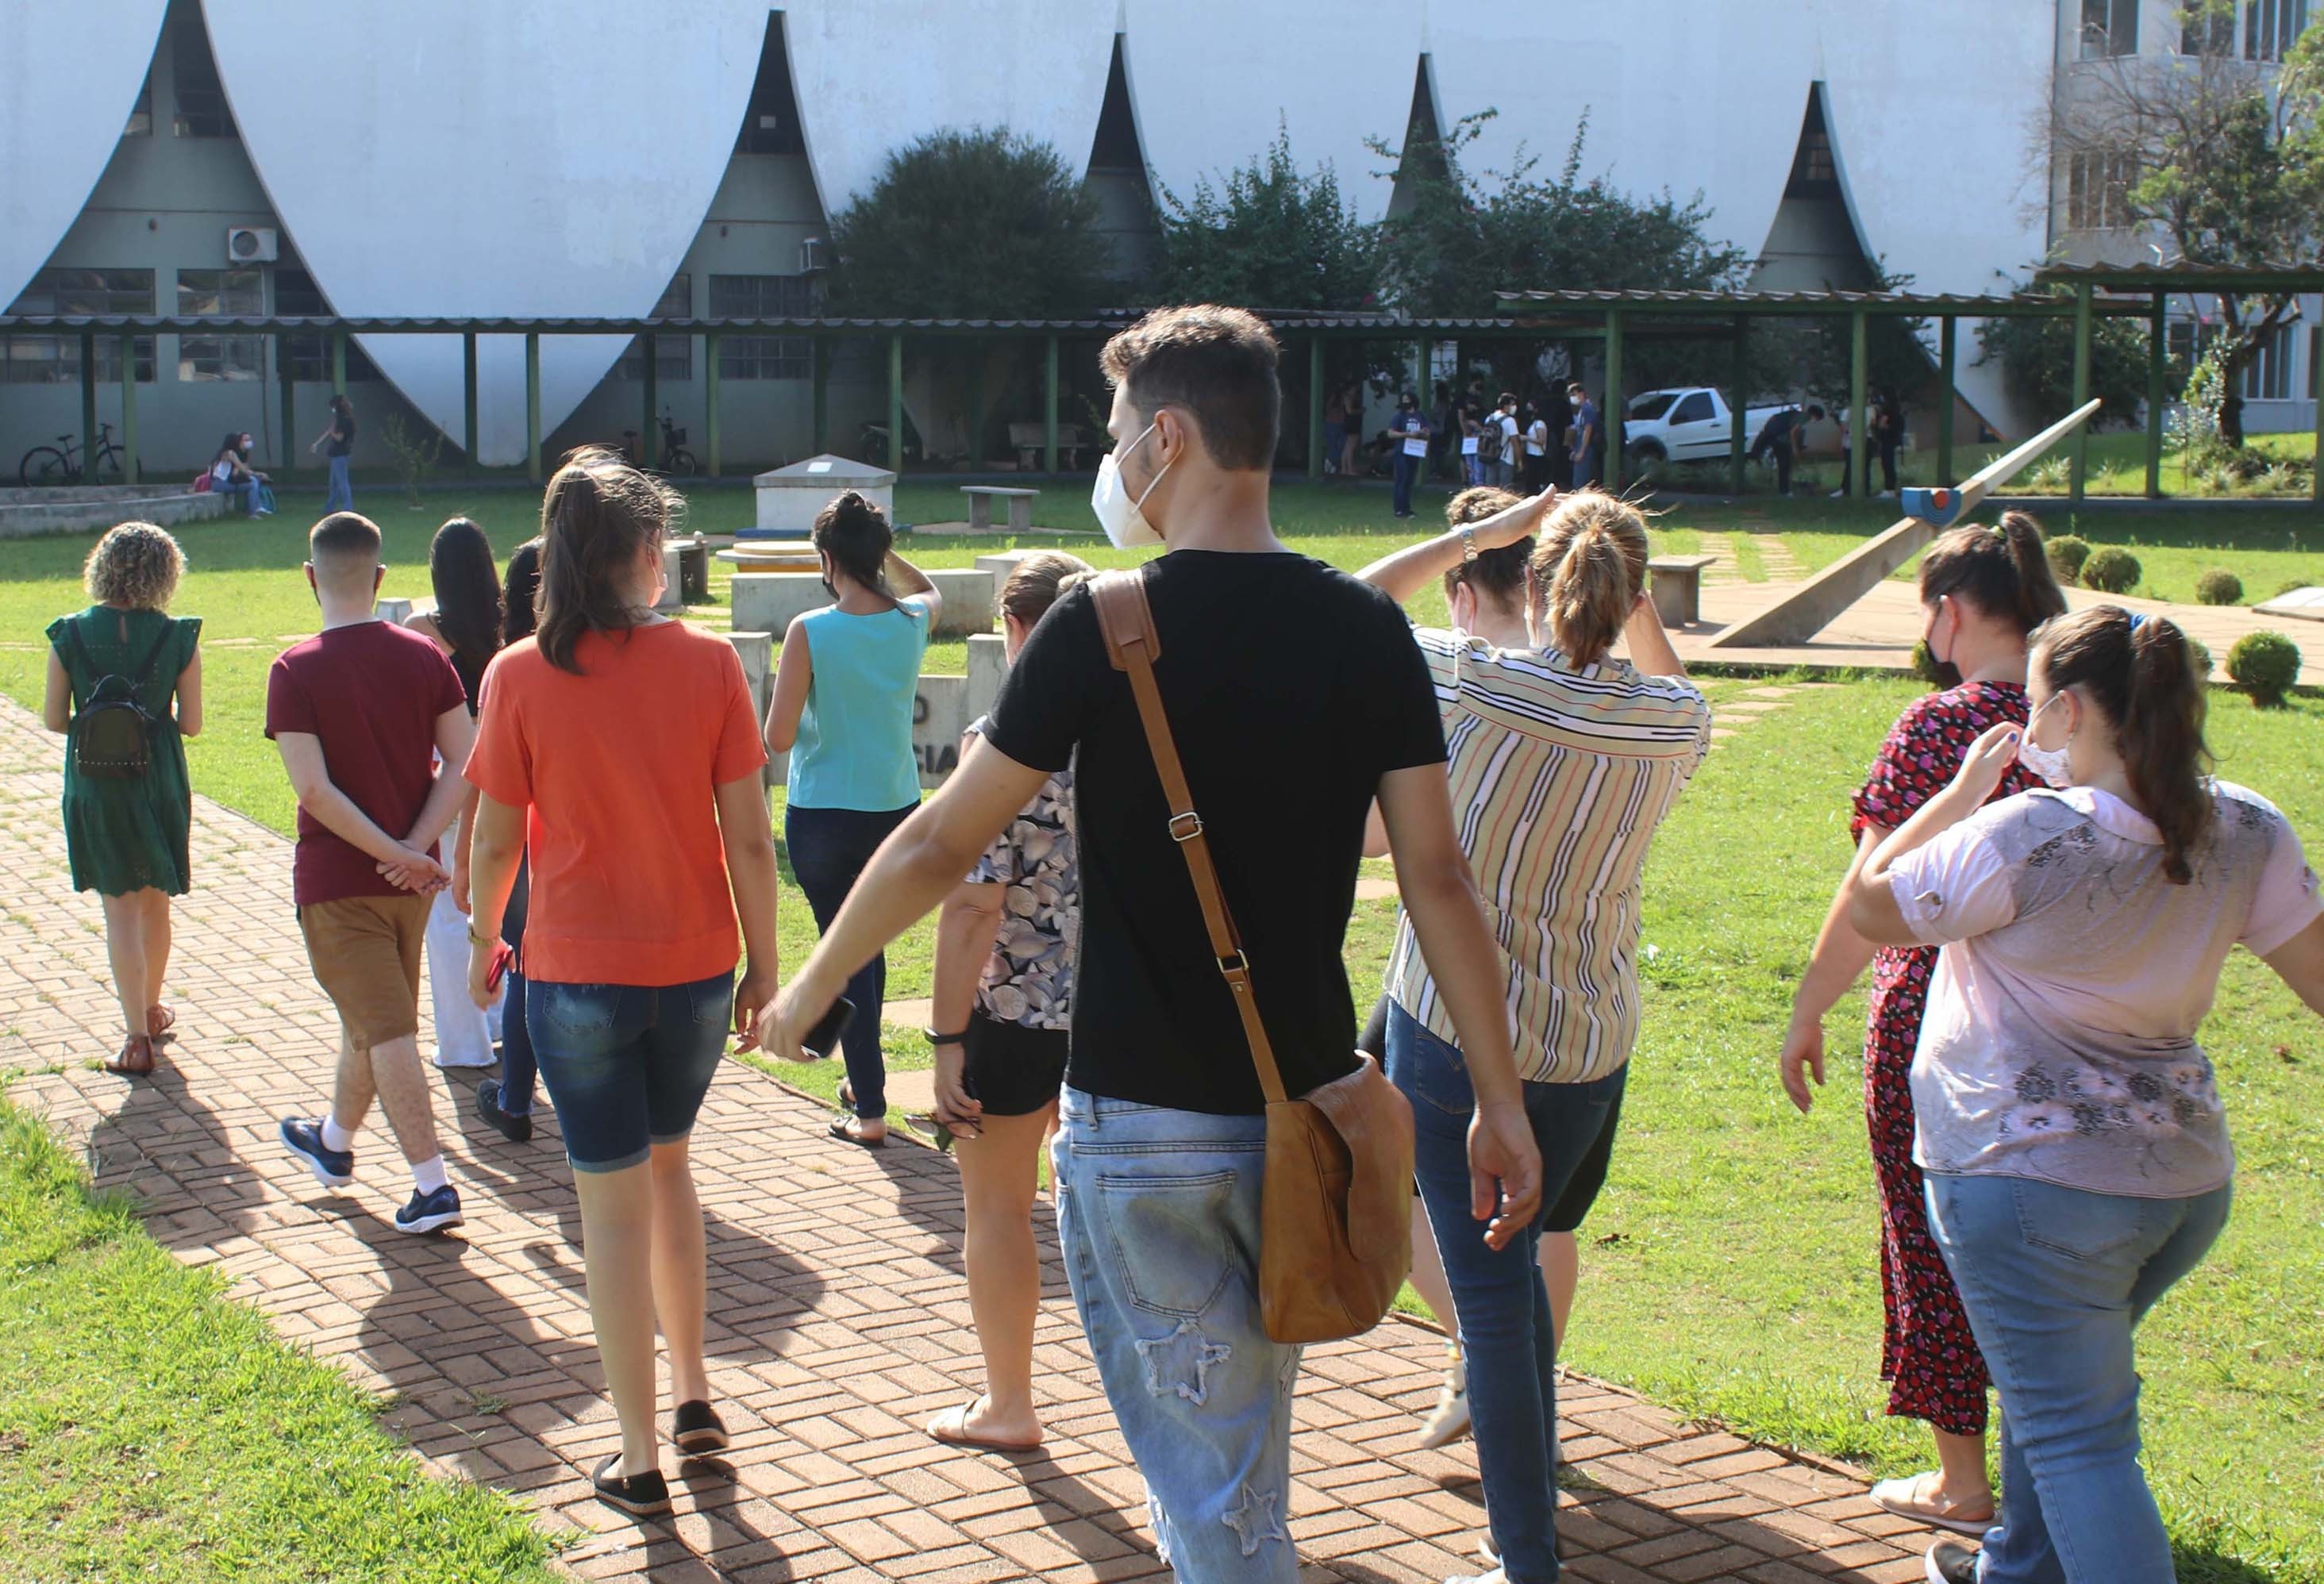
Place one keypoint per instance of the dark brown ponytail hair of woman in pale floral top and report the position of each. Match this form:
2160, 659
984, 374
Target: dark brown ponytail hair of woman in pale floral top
2139, 672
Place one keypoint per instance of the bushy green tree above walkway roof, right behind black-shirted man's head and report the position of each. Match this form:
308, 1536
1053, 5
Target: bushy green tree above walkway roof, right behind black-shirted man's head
1268, 238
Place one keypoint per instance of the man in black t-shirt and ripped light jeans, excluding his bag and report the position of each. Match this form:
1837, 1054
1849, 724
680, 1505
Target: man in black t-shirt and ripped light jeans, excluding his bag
1296, 698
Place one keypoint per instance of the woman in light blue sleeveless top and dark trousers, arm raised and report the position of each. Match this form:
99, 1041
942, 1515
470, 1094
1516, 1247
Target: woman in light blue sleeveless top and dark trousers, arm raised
845, 693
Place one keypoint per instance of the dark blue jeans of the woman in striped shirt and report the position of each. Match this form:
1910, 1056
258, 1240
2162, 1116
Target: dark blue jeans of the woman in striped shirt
1502, 1313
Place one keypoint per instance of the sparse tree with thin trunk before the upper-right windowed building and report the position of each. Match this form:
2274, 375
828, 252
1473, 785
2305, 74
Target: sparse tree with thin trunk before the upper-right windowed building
2218, 157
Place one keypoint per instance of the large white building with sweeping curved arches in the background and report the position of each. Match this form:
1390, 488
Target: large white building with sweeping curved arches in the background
596, 159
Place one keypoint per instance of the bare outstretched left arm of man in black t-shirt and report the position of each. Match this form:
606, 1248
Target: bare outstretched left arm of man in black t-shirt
910, 874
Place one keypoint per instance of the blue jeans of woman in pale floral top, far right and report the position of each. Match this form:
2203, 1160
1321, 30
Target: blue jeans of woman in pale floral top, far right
2056, 1281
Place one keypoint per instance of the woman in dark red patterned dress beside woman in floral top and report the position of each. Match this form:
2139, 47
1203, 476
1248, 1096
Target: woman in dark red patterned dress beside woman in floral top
1984, 591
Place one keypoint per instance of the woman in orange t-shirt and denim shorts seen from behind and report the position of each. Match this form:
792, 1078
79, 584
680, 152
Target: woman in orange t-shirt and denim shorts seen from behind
619, 751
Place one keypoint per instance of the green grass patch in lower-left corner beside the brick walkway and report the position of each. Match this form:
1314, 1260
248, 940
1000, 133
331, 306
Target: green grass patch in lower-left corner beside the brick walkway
155, 1430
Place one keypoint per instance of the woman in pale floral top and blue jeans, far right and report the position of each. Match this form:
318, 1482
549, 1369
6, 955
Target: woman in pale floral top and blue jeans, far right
2072, 1128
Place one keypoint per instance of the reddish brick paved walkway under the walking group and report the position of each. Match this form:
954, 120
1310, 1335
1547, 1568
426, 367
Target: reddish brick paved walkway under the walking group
838, 1309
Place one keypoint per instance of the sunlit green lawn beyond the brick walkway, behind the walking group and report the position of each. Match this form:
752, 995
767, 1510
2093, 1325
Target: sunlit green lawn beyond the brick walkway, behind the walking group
1733, 1265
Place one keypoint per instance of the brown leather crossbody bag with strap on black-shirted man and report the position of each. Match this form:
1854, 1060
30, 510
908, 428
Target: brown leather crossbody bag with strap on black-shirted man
1335, 1211
